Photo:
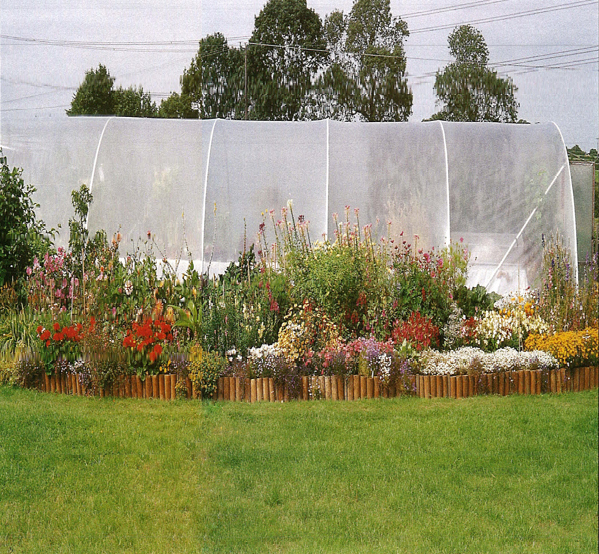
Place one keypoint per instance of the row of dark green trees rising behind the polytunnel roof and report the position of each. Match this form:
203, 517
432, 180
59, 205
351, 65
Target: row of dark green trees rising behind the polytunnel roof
296, 66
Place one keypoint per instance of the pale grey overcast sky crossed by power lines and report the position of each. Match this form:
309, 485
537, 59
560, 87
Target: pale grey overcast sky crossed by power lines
548, 47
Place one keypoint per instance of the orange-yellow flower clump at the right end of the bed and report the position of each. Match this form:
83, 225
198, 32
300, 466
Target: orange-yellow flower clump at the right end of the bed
570, 348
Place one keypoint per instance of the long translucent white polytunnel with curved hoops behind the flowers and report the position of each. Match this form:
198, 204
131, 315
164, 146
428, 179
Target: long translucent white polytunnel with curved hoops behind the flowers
201, 186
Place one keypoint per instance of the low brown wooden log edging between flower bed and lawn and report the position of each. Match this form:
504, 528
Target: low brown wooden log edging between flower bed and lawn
340, 387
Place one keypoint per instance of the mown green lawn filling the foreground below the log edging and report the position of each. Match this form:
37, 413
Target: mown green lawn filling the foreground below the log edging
487, 474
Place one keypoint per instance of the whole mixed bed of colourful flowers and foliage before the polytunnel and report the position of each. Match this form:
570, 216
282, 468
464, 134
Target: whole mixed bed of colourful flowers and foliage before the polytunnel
290, 306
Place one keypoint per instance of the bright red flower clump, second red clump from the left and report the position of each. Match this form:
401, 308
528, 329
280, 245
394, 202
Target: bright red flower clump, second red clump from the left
144, 342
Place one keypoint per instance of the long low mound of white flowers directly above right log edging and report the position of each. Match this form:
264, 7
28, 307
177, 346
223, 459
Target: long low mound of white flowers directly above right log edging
468, 359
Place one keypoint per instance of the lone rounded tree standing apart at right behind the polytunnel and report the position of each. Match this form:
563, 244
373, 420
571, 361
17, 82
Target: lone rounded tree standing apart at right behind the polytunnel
467, 89
